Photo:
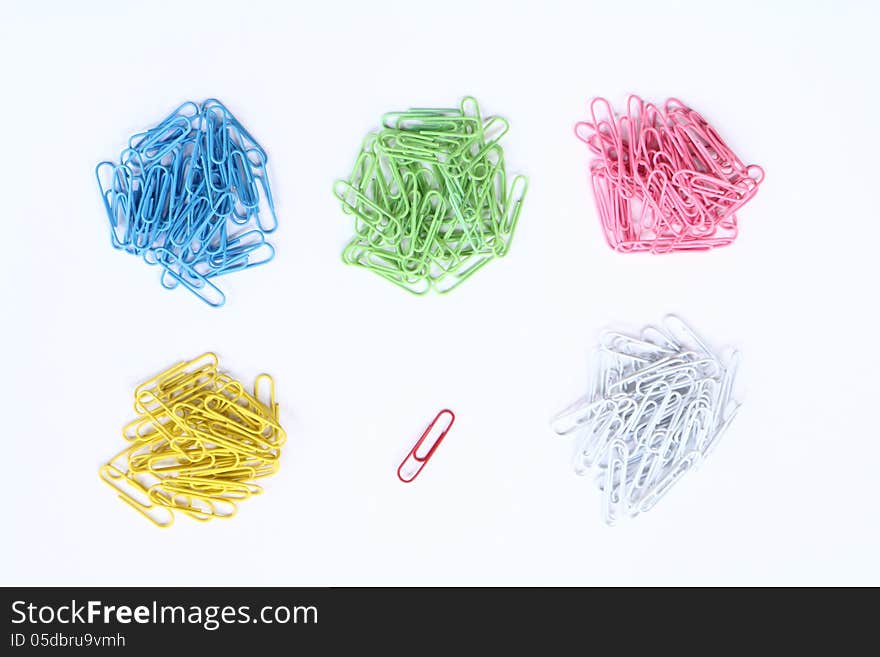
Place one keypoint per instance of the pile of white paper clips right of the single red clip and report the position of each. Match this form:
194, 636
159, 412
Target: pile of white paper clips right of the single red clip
658, 405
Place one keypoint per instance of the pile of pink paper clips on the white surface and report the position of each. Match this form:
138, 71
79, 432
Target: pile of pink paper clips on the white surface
663, 179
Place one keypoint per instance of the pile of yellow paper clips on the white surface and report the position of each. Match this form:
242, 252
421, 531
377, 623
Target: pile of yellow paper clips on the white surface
198, 444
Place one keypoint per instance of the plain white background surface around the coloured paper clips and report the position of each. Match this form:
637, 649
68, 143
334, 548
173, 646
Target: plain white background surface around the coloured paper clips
789, 497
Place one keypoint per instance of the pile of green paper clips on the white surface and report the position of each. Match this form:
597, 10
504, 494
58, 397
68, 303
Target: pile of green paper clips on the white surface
430, 197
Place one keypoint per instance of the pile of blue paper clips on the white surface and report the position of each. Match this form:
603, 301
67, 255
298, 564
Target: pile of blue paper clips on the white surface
192, 196
